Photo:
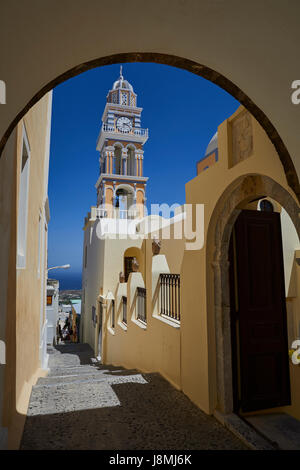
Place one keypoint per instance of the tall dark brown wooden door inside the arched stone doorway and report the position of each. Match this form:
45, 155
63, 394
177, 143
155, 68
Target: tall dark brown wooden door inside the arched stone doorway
259, 324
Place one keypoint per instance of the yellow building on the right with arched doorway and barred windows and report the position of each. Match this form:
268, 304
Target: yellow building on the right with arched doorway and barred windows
235, 372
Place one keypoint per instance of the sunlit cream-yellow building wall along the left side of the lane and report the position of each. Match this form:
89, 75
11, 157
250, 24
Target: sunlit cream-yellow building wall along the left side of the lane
23, 321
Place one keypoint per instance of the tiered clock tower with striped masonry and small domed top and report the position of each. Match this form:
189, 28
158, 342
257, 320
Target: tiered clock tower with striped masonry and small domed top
121, 184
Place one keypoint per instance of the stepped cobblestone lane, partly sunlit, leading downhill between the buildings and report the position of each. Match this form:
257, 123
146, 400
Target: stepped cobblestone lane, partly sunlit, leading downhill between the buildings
84, 406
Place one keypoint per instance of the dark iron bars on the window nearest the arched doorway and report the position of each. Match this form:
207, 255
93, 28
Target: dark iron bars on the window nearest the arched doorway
170, 295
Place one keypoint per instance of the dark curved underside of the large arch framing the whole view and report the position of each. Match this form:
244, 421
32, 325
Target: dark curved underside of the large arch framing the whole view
185, 64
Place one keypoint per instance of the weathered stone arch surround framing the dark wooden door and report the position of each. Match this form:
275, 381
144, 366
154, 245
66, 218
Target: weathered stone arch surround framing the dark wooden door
239, 193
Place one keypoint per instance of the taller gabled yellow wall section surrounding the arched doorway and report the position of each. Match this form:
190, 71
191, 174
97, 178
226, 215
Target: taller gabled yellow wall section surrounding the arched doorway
247, 170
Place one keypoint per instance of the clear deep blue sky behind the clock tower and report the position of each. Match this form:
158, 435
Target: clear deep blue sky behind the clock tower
181, 111
